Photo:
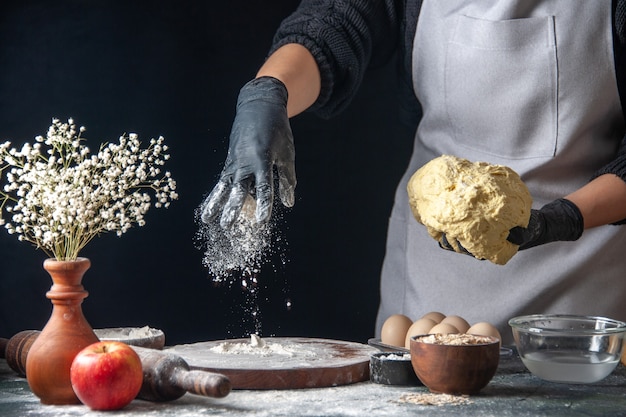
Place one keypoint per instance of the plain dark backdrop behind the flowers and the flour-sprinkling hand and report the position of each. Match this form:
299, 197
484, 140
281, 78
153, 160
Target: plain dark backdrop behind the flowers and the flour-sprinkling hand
174, 68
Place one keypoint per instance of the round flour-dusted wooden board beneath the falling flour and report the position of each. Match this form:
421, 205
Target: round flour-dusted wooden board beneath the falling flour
284, 363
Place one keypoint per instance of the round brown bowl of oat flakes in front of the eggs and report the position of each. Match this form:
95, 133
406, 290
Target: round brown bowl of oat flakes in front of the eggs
453, 368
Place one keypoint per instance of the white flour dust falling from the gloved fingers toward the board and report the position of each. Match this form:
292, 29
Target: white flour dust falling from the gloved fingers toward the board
236, 256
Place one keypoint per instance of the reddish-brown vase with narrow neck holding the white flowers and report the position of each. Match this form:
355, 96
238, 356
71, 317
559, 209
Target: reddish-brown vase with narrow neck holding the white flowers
66, 333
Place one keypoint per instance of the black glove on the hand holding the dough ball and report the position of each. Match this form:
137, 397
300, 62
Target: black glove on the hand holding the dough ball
559, 220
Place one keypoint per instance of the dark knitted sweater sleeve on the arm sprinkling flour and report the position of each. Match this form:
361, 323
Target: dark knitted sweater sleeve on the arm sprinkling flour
345, 38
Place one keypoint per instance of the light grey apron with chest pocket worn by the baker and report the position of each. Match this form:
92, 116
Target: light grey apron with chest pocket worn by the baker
531, 85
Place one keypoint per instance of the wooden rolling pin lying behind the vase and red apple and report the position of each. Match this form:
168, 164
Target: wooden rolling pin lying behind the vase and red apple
166, 376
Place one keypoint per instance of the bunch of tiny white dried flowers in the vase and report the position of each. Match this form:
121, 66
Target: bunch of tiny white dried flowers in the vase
61, 196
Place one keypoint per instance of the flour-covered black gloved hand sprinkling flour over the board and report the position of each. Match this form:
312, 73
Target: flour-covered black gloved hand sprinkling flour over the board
260, 140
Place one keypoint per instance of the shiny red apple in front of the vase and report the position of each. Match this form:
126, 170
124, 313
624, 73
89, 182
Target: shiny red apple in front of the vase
106, 375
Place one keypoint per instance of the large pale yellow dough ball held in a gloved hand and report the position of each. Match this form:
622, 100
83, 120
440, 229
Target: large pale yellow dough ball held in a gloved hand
475, 203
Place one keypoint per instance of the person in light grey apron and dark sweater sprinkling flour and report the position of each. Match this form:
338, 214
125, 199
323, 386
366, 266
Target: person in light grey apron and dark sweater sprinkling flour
534, 85
